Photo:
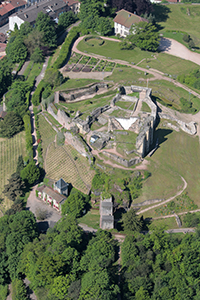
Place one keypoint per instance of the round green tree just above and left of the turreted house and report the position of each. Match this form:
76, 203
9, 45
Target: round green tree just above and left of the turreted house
31, 173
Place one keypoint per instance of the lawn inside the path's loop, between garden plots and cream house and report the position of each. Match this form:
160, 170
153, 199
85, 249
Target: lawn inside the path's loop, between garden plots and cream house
111, 50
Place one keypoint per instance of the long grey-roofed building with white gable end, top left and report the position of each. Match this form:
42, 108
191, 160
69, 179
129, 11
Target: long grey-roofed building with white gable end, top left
52, 7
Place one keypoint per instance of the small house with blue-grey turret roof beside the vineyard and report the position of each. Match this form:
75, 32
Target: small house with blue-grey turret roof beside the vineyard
52, 196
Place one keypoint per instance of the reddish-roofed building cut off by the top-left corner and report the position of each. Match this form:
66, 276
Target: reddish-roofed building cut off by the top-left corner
8, 8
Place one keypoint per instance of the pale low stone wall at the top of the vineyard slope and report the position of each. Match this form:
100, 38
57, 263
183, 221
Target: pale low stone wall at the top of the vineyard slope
76, 142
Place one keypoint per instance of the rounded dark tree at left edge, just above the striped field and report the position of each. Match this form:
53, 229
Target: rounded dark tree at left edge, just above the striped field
11, 125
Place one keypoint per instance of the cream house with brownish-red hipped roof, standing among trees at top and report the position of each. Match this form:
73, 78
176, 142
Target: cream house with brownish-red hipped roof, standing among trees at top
124, 20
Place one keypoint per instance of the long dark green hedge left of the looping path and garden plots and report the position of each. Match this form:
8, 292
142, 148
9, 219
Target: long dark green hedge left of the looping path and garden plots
66, 47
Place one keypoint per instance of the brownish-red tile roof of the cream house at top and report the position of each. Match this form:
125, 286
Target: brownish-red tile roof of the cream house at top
127, 19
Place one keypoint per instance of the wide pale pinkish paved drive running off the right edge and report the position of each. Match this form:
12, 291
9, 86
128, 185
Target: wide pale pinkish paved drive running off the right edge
175, 48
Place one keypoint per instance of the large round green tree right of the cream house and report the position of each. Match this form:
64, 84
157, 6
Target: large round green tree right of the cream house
144, 36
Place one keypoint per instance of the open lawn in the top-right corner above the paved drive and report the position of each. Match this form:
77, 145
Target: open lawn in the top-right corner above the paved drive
183, 17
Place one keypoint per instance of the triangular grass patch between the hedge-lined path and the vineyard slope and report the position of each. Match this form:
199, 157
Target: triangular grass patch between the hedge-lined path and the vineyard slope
47, 133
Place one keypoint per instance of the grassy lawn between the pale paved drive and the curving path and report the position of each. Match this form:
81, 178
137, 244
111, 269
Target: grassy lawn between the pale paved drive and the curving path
170, 64
